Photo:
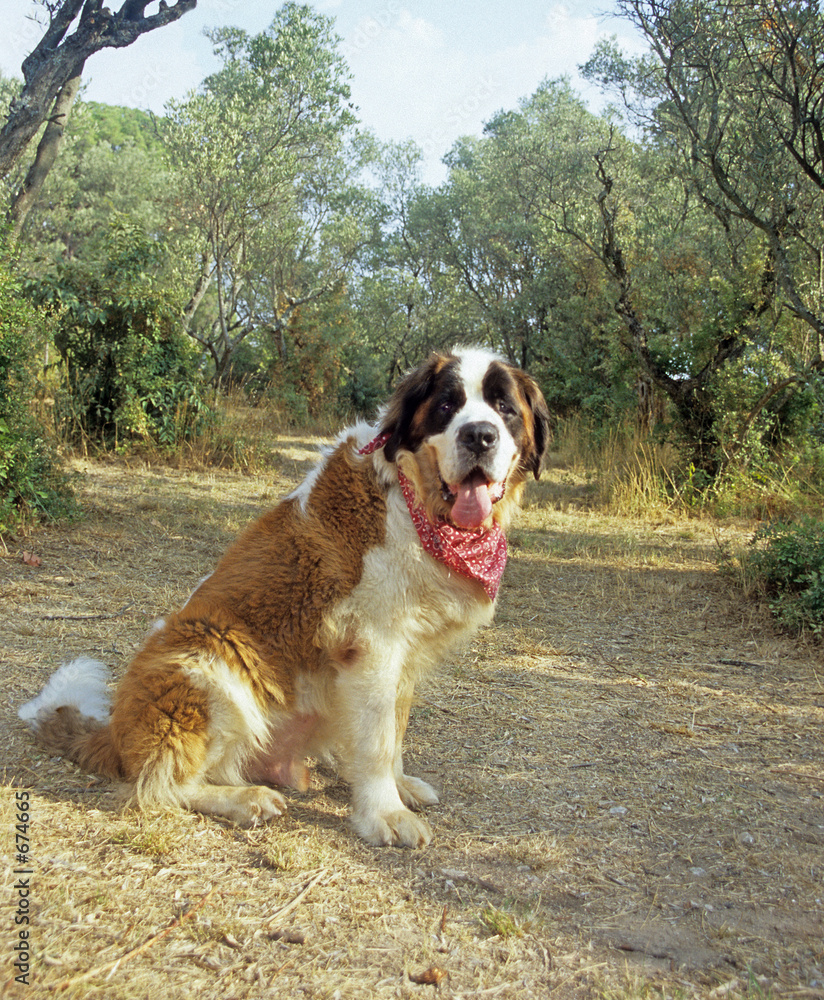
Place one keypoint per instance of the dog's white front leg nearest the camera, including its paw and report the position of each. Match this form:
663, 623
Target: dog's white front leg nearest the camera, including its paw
367, 696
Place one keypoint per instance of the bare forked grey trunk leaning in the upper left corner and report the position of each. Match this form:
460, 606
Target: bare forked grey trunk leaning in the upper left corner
51, 78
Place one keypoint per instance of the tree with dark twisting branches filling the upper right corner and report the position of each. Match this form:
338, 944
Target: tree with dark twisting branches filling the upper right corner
734, 91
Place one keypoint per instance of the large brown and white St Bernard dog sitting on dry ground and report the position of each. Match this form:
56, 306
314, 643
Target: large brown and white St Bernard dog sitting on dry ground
308, 638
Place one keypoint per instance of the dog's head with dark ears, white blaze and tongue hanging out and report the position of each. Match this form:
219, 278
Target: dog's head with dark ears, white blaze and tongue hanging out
467, 429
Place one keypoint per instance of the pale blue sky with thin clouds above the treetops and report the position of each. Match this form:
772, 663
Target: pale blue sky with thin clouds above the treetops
431, 71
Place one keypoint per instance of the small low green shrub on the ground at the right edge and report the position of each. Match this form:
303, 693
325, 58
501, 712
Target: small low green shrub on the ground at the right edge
789, 560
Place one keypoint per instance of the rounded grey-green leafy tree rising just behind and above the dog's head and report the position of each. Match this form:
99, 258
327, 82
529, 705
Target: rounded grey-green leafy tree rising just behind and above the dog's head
536, 291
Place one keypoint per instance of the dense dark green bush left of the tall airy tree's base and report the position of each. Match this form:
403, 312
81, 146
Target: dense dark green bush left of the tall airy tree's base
131, 373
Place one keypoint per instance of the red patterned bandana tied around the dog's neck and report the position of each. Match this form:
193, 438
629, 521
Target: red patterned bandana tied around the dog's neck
479, 555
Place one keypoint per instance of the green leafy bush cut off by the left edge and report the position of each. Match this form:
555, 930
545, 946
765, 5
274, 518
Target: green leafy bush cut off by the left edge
30, 481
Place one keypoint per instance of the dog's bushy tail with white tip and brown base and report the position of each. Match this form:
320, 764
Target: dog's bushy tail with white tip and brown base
69, 717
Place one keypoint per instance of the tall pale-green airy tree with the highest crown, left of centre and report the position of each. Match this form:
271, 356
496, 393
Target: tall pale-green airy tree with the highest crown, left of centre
260, 152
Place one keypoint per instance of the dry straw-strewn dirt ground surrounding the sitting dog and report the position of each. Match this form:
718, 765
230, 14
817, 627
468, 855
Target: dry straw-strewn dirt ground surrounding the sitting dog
629, 761
